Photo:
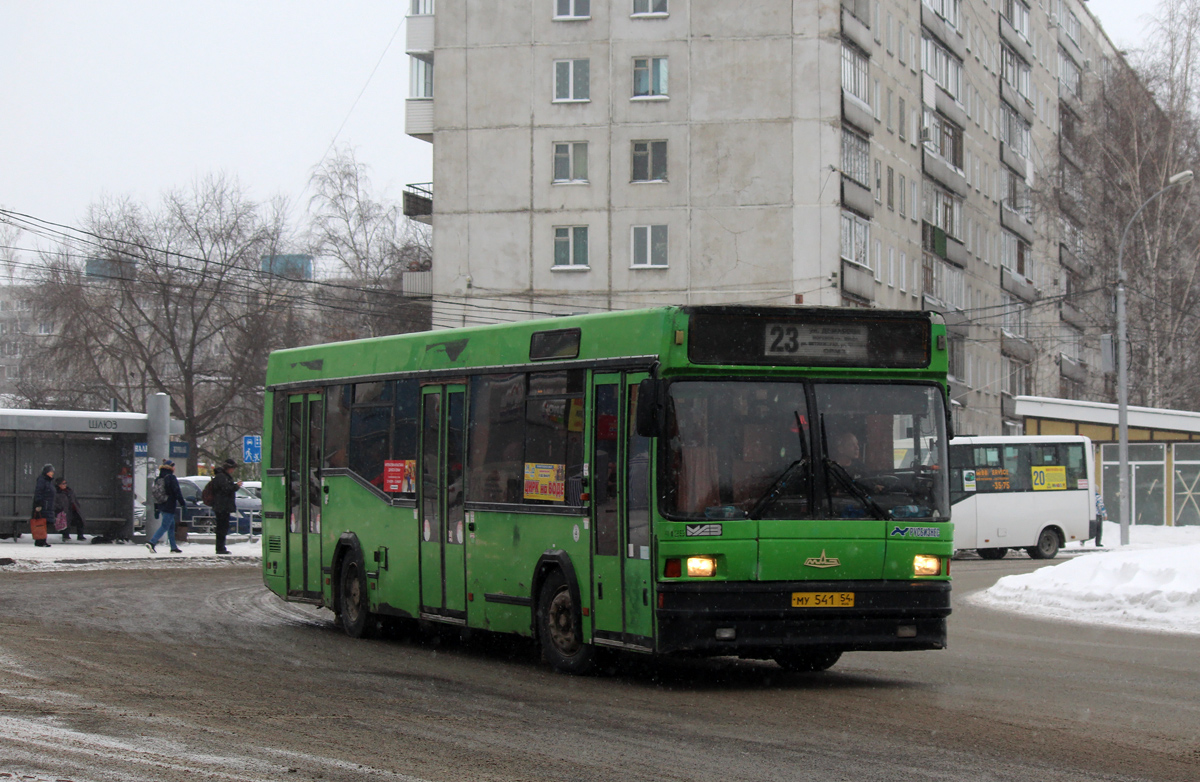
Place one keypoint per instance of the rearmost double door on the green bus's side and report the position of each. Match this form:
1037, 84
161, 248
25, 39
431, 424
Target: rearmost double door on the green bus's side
305, 496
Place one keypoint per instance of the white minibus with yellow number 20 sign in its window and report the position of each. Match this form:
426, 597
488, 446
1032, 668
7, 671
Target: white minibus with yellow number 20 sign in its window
1022, 492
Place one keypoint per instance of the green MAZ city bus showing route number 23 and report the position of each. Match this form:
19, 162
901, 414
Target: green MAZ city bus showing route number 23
765, 483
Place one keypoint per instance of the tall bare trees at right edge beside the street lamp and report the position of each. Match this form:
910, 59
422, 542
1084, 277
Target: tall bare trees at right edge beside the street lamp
1143, 130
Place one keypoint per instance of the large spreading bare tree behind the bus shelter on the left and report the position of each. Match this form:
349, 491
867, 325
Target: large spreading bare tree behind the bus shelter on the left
169, 300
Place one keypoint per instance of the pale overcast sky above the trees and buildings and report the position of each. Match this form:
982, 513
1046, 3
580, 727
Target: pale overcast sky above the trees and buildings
134, 98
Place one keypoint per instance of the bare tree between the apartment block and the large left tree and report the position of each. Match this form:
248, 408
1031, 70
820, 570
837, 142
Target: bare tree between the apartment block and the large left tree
374, 246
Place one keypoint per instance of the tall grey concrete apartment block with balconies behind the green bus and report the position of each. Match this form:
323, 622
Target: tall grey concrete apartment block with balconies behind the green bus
901, 154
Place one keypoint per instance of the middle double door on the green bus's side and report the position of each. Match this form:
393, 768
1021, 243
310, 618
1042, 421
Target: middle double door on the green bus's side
441, 503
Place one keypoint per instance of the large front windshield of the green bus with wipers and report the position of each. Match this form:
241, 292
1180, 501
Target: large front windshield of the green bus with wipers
759, 449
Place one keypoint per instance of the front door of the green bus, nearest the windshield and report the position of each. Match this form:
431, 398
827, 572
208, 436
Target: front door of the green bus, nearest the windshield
621, 560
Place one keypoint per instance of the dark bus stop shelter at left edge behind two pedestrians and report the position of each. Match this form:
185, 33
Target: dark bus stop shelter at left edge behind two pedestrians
95, 452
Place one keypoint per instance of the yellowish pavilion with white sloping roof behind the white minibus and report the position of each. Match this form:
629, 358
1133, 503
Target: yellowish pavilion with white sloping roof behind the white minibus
1165, 454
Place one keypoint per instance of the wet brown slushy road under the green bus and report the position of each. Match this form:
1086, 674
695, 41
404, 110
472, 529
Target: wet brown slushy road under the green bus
170, 672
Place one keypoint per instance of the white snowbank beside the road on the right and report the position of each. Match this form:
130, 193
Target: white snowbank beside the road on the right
1154, 584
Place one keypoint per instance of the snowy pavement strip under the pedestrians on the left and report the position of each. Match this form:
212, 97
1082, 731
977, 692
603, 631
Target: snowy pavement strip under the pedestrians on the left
199, 550
